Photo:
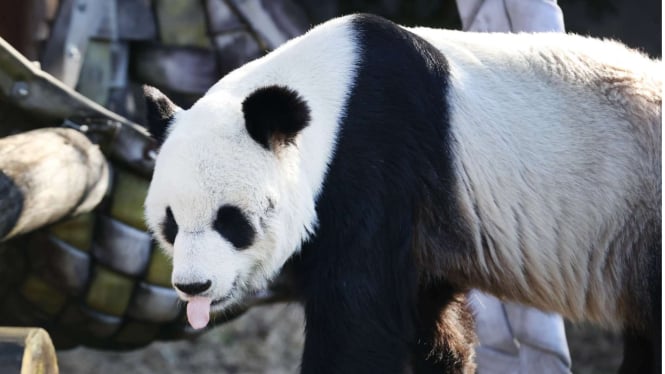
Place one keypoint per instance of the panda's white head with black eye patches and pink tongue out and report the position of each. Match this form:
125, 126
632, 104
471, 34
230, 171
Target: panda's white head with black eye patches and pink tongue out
227, 191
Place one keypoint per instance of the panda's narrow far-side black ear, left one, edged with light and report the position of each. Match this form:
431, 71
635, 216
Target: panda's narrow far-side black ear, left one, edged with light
159, 112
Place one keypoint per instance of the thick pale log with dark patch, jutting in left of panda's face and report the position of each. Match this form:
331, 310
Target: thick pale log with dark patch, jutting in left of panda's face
48, 174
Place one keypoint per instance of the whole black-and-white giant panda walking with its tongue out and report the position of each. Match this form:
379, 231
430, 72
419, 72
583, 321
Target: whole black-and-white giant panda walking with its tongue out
401, 167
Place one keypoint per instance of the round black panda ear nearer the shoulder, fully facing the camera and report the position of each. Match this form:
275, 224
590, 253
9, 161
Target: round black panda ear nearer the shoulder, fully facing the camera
274, 115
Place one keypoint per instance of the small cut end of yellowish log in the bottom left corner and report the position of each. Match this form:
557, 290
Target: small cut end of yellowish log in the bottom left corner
27, 350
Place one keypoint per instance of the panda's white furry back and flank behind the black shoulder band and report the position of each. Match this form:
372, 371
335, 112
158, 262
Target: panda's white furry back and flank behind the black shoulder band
557, 144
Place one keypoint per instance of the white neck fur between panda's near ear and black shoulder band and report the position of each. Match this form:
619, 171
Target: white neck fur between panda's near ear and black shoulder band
333, 69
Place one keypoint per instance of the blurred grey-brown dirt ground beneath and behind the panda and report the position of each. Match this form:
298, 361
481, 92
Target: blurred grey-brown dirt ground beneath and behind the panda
270, 339
